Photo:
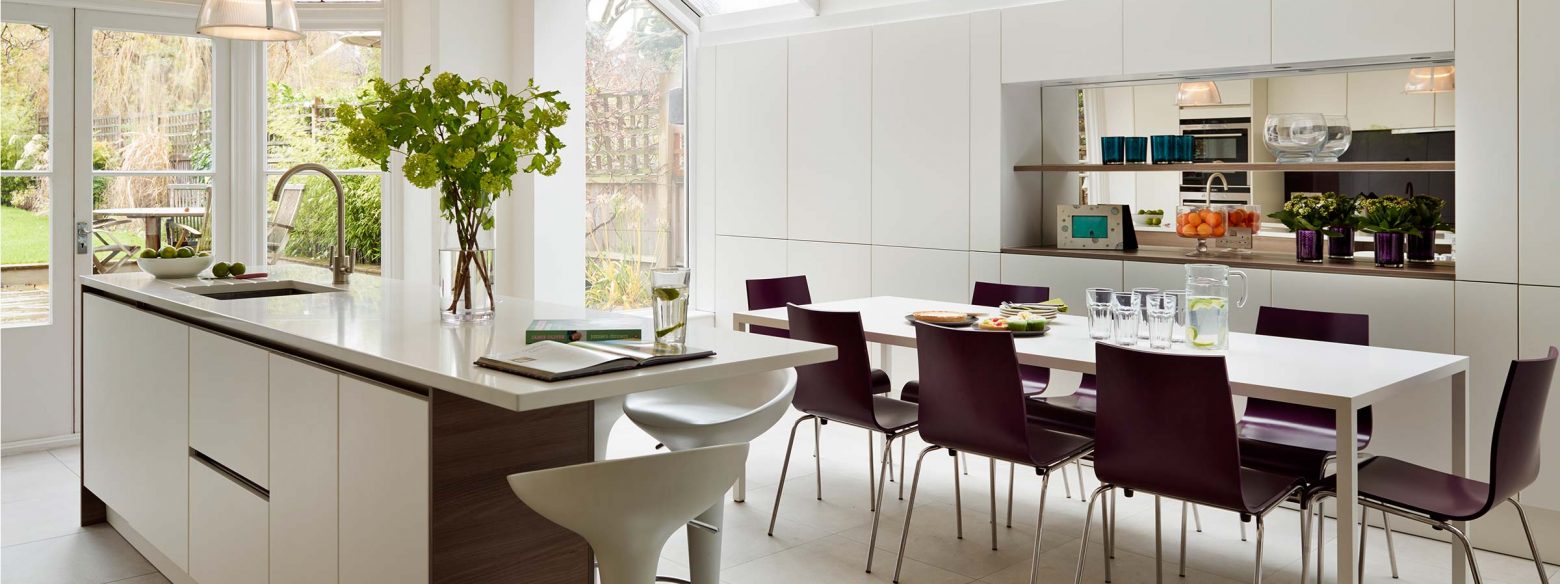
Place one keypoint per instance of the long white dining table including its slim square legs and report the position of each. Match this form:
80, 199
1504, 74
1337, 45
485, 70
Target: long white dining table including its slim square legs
1338, 377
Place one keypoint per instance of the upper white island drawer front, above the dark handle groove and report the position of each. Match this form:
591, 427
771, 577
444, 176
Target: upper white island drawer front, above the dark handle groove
229, 404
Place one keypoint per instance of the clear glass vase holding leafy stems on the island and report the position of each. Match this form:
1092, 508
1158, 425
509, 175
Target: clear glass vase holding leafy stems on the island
466, 272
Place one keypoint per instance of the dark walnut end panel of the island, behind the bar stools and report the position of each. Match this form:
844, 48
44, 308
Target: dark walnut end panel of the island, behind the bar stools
480, 530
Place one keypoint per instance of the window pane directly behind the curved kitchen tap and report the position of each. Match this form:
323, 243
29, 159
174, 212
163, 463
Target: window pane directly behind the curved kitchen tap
305, 84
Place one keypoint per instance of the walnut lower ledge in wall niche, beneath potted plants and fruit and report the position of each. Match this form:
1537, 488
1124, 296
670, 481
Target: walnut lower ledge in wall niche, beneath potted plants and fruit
1261, 260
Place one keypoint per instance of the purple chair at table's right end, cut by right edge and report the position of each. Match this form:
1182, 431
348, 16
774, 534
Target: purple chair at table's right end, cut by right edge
1436, 499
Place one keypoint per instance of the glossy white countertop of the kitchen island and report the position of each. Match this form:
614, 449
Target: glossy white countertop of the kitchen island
394, 327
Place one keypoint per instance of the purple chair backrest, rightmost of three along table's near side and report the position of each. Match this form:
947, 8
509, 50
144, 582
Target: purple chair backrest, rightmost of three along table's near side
1166, 424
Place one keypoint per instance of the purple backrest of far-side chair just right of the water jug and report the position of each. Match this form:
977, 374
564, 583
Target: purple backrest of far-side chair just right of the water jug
1311, 326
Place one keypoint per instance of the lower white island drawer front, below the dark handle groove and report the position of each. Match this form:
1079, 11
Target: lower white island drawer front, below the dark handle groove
229, 530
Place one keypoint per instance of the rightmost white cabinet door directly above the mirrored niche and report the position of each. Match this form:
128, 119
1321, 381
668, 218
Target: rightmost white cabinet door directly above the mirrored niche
1324, 30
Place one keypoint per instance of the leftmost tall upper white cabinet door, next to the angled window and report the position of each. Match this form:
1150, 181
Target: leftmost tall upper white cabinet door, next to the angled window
751, 129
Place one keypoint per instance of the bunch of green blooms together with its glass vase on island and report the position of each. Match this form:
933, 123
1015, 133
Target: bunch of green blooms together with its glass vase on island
469, 138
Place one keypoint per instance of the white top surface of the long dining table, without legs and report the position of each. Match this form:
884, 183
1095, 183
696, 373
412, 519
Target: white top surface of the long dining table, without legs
1306, 372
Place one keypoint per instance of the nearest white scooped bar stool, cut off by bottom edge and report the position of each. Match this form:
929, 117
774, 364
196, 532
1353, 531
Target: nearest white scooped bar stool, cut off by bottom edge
628, 508
